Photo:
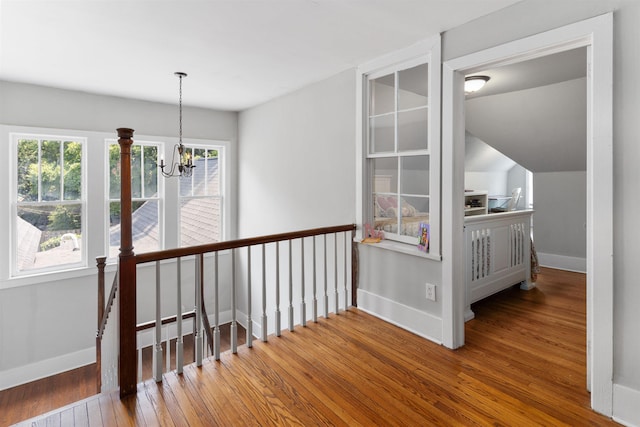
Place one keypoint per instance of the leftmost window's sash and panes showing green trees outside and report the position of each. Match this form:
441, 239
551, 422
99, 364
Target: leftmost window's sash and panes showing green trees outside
48, 220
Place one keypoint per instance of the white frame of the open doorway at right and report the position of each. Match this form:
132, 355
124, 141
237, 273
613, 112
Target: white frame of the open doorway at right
596, 34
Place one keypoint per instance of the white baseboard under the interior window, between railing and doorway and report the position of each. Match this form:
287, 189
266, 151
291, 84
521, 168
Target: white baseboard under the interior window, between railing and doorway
409, 318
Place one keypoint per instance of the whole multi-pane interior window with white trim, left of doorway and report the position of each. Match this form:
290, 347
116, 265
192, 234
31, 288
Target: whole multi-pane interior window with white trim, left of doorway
400, 144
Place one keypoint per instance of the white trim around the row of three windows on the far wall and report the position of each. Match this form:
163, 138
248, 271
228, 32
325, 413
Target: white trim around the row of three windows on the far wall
95, 185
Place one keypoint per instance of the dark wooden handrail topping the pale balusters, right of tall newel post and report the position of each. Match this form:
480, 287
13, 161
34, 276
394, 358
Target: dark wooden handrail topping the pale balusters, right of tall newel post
233, 244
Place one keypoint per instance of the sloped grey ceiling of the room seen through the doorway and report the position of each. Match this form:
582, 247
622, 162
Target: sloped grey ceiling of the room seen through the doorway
534, 112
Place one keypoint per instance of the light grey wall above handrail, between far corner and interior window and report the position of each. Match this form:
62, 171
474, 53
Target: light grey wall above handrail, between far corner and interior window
296, 160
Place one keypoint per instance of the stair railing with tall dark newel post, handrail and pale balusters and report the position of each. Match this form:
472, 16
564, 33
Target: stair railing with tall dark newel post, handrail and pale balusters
127, 284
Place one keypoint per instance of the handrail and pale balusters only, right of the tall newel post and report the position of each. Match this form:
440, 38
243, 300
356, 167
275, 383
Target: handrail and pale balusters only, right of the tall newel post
332, 293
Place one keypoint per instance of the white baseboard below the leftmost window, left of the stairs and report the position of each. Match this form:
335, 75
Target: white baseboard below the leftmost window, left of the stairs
46, 368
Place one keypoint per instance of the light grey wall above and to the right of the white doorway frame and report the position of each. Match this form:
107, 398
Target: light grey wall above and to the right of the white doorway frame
532, 17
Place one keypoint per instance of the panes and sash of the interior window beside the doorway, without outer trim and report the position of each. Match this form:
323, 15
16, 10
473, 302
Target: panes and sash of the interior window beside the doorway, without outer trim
398, 150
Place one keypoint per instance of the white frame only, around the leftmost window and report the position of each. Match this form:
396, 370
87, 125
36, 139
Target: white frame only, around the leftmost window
14, 137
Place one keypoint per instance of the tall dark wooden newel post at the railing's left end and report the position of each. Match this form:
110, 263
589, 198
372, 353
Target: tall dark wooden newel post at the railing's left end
127, 284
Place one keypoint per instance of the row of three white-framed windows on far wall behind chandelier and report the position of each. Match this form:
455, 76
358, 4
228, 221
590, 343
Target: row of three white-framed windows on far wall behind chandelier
63, 200
